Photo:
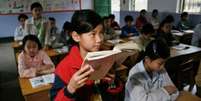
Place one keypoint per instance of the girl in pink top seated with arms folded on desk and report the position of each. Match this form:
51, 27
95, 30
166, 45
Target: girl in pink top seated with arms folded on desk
33, 61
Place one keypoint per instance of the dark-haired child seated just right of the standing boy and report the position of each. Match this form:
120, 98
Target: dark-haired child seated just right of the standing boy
53, 36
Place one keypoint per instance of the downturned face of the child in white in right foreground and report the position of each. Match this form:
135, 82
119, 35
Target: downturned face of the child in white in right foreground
155, 65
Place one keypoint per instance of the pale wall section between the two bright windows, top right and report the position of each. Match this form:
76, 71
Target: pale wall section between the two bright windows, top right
163, 5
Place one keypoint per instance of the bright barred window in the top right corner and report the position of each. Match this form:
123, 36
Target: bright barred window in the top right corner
193, 6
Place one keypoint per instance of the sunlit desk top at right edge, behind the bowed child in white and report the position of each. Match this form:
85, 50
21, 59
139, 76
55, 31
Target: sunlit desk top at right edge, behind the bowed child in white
190, 50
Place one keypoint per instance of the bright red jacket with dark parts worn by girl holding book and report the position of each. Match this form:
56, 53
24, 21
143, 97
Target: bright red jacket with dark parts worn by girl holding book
64, 71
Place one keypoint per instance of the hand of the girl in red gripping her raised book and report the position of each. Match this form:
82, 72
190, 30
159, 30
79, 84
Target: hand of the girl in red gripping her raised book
79, 78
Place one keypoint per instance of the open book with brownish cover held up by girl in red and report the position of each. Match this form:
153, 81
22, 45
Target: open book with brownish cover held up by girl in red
102, 61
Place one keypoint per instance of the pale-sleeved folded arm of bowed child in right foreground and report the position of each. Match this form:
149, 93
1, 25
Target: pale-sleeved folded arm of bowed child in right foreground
136, 91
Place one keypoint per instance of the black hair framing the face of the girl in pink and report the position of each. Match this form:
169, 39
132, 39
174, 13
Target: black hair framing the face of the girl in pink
31, 38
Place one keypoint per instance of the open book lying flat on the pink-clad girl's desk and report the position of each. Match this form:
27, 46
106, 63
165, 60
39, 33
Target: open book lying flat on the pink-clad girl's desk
42, 80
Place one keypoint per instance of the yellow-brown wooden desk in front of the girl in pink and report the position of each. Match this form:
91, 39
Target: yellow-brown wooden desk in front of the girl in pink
34, 94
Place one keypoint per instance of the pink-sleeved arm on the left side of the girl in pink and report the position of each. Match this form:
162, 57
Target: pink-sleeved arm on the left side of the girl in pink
23, 71
